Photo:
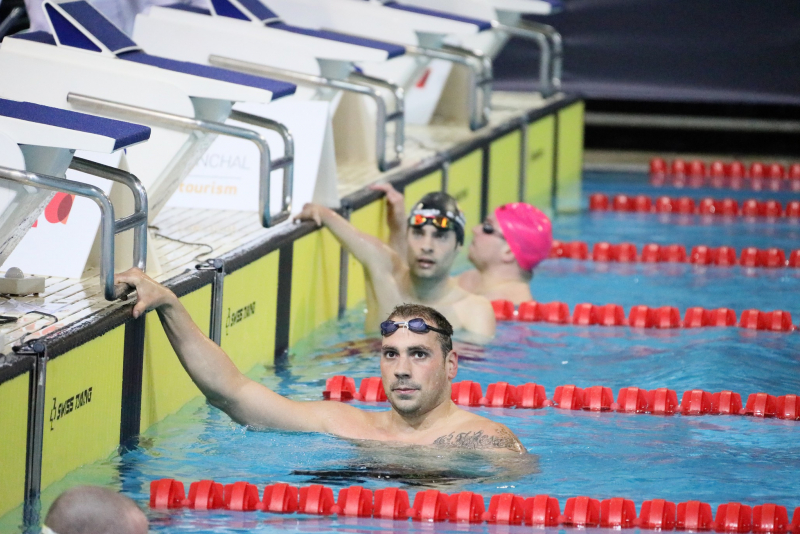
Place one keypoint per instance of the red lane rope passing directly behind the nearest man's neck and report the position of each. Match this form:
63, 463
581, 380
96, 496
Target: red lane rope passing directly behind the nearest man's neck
660, 401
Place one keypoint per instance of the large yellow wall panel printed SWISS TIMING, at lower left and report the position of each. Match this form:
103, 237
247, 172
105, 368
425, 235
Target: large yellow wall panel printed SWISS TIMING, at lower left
83, 395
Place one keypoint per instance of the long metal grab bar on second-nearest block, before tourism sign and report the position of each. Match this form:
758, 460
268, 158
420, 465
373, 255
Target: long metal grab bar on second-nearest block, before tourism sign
178, 122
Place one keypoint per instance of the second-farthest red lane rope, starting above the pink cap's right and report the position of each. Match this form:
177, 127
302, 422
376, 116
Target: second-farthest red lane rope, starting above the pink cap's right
750, 209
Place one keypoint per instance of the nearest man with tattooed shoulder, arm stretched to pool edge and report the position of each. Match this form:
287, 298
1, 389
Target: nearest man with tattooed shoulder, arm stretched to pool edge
417, 364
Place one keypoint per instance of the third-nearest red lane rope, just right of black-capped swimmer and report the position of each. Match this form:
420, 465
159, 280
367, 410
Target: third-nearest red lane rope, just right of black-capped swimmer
642, 316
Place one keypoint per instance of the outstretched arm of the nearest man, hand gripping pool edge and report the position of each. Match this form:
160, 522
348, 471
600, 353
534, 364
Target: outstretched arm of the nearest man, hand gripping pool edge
244, 400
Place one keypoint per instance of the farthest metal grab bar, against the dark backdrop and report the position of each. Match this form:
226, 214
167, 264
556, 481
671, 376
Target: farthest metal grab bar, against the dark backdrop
550, 47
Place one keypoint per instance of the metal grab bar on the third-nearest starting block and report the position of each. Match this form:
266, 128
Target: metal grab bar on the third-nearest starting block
300, 78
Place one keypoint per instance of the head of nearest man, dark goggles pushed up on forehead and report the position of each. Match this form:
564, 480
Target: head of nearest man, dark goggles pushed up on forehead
417, 359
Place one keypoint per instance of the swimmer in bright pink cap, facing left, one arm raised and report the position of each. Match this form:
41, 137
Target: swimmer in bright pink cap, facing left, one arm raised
505, 248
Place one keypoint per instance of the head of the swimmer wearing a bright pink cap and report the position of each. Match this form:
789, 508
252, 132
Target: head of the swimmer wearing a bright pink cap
515, 238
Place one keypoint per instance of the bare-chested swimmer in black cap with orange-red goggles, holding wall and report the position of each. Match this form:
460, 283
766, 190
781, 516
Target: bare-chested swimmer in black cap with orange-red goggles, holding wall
421, 274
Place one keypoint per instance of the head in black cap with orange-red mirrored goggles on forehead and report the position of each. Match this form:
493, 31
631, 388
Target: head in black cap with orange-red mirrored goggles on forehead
435, 236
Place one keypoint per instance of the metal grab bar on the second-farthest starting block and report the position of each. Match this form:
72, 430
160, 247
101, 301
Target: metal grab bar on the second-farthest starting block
481, 77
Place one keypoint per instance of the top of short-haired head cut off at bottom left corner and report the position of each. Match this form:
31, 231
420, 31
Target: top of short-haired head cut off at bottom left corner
95, 510
